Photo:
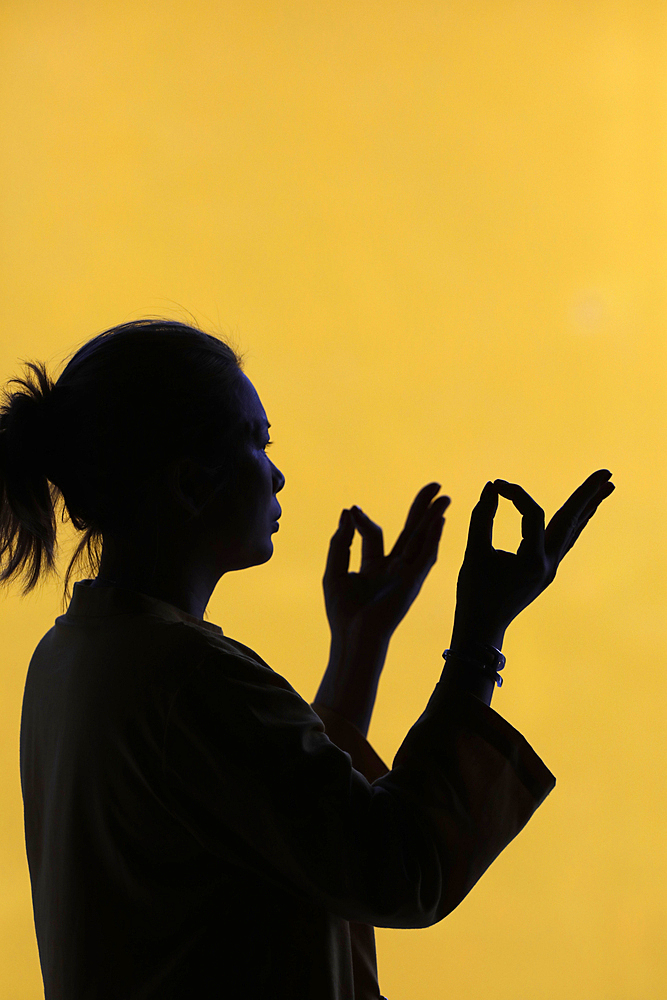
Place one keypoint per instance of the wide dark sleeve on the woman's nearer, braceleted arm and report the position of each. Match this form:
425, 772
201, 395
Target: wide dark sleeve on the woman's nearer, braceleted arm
253, 775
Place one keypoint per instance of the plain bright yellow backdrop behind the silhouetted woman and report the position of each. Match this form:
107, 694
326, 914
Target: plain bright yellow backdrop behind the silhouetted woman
439, 230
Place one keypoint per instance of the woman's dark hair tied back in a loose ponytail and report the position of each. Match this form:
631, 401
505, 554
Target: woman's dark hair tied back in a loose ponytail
105, 439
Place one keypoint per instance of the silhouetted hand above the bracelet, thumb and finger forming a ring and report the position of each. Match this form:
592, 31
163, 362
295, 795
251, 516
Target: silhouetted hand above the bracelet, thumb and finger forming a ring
495, 586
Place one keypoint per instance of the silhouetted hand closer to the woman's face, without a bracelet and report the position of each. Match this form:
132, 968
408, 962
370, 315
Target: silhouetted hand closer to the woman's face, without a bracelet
378, 597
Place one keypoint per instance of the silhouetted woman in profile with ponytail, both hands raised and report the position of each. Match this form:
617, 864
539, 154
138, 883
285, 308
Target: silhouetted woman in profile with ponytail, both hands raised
193, 827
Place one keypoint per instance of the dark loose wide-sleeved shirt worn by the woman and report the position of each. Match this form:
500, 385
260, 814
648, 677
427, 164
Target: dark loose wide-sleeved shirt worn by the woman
195, 829
